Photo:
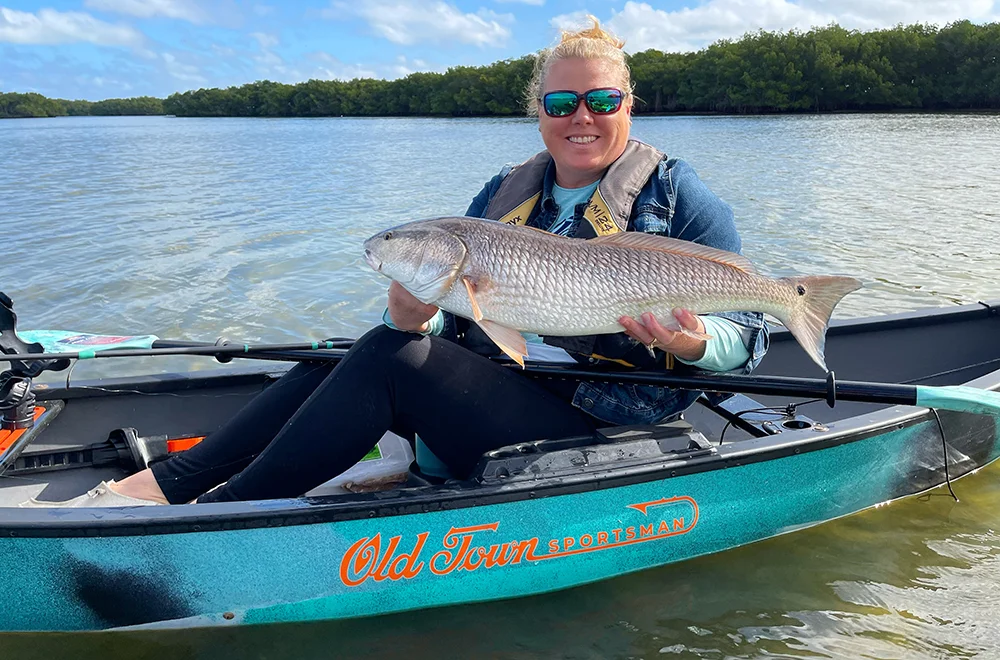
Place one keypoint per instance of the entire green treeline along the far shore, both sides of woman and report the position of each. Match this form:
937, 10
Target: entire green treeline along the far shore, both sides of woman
825, 69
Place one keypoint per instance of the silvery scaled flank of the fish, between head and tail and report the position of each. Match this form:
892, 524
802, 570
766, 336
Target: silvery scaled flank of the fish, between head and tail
576, 288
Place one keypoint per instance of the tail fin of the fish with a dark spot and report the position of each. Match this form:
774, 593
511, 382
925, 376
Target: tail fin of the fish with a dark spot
815, 298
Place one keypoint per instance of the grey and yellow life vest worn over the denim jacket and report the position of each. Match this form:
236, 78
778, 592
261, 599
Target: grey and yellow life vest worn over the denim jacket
607, 212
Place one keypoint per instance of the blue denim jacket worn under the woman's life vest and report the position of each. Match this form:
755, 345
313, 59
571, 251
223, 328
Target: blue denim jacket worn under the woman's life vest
675, 203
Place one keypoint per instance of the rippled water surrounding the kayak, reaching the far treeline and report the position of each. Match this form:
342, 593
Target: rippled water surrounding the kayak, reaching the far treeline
250, 229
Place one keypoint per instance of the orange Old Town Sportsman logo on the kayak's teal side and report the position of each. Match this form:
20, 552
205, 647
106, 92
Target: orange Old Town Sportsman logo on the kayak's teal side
472, 548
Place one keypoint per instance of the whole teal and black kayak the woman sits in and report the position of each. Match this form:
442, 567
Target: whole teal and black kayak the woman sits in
533, 518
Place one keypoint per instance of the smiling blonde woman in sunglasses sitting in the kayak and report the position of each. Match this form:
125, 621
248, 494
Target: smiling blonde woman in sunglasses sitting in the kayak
420, 374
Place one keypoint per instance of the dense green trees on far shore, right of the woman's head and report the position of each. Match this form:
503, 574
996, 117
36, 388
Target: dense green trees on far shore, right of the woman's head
828, 69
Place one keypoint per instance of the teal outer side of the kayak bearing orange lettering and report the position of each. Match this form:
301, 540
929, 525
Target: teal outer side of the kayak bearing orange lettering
381, 564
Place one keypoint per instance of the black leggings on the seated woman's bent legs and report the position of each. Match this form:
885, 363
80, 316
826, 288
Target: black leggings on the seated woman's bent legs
318, 420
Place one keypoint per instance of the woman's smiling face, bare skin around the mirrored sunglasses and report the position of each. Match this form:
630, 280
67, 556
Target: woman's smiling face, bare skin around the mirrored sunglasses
583, 144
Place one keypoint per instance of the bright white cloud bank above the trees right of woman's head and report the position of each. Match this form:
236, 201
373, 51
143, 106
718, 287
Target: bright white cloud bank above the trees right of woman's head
693, 28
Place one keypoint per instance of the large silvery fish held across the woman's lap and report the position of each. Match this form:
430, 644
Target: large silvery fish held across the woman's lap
531, 281
